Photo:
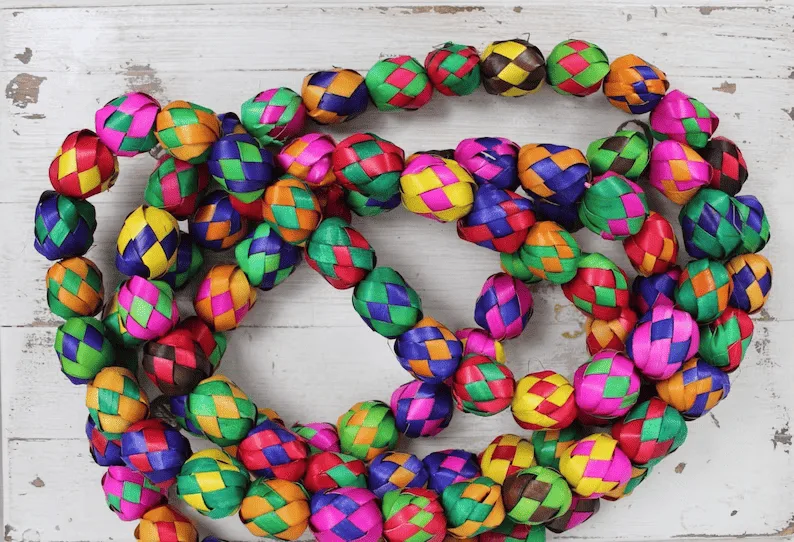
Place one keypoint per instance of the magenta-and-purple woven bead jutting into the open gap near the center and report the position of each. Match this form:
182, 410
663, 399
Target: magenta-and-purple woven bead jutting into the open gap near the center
504, 307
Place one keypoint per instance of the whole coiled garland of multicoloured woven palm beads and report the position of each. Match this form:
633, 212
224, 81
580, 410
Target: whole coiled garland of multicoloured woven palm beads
270, 193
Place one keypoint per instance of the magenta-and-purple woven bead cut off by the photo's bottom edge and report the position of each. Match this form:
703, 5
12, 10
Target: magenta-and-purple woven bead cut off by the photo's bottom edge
346, 514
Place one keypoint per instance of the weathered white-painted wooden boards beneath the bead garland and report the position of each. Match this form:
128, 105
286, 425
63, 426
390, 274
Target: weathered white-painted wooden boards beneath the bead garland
304, 351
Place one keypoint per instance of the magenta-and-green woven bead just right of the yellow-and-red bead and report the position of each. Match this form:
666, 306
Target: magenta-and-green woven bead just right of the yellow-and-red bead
607, 386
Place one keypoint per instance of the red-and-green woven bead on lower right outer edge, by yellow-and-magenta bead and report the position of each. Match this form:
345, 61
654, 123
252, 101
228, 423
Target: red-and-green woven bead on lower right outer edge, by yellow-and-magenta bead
649, 432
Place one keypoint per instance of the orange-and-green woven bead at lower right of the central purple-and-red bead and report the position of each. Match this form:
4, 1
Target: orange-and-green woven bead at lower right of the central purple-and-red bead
550, 252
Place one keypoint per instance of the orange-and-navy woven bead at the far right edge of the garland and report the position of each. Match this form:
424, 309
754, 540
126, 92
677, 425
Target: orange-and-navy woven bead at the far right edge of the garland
751, 275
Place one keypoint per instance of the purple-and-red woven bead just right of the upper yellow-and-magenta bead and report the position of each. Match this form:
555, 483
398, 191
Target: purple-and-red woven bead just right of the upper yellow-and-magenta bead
499, 220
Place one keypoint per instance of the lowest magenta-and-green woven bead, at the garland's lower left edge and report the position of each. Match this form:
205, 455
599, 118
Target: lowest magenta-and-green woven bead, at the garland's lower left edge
129, 494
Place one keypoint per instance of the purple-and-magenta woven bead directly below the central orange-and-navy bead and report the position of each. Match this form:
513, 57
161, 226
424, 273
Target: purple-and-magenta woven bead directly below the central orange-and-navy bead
422, 409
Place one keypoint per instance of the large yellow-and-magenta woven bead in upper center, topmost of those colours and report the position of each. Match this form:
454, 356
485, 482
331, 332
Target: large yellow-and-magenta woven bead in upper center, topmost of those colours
436, 188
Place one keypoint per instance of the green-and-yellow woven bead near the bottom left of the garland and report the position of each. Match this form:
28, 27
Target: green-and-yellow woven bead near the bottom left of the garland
213, 483
